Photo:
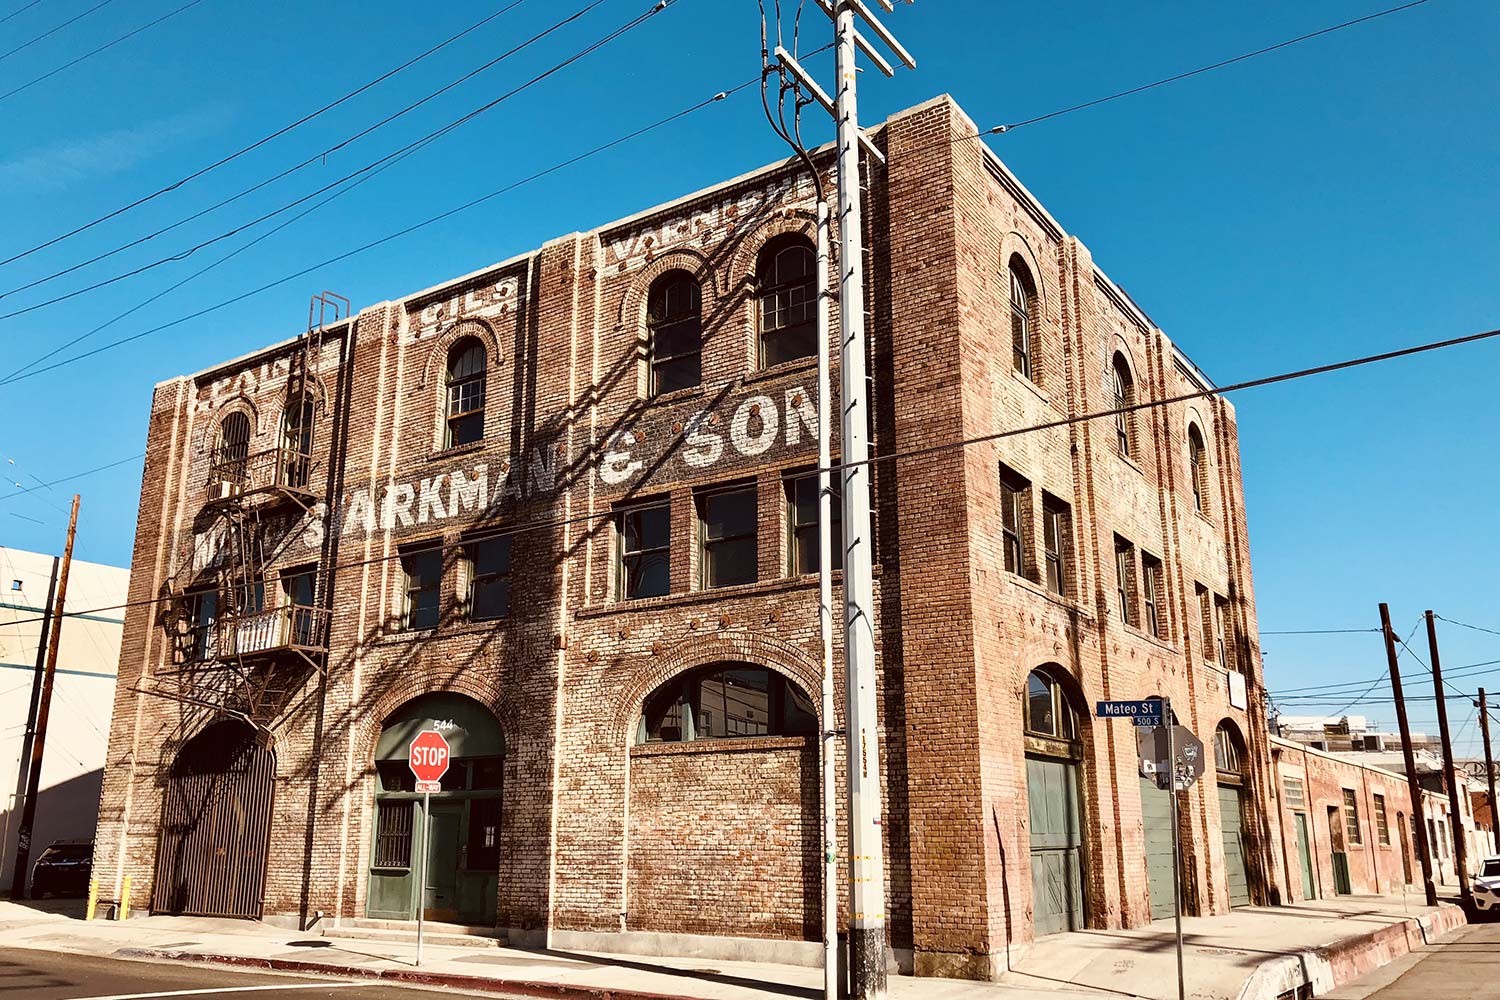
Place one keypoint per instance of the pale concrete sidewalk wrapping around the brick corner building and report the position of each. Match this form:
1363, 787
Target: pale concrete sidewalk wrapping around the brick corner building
1253, 954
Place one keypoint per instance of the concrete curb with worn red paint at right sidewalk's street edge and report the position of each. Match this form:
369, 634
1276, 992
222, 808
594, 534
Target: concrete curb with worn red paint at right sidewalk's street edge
1351, 959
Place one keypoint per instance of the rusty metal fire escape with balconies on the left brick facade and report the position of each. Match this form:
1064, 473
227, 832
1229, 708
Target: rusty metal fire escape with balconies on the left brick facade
241, 650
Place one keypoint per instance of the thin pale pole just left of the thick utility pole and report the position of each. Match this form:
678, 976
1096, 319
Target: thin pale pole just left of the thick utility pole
826, 620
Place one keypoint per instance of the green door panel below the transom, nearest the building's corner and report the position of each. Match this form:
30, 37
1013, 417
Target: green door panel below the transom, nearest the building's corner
1052, 791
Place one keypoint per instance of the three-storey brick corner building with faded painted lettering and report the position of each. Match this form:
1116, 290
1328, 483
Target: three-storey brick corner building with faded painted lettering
557, 509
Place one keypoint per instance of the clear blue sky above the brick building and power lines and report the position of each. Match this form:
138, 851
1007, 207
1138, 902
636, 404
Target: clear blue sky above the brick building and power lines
1324, 202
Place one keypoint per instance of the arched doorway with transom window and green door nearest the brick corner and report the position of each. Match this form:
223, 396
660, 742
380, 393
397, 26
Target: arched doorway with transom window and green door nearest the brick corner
1054, 753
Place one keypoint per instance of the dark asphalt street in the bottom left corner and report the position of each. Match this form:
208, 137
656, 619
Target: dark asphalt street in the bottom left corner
37, 975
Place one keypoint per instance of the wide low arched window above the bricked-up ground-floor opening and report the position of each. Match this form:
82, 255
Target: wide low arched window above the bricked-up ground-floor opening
727, 702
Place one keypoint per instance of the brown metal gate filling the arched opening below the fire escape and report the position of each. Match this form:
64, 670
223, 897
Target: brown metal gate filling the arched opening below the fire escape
217, 819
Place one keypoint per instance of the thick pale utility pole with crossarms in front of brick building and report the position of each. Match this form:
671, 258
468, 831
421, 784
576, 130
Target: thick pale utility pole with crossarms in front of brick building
866, 849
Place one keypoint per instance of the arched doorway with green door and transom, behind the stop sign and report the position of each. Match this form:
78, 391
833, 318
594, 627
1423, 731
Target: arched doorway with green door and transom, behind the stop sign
464, 836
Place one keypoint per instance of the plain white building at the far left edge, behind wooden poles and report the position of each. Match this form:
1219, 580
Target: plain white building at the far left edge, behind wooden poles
73, 767
